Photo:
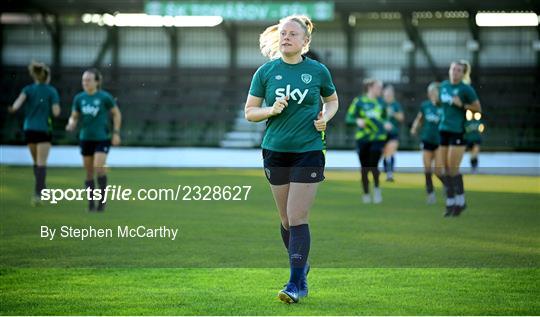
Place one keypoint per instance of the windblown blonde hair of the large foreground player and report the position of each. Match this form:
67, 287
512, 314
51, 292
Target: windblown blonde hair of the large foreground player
269, 39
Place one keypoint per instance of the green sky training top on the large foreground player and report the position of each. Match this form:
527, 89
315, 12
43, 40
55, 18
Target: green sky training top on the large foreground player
304, 83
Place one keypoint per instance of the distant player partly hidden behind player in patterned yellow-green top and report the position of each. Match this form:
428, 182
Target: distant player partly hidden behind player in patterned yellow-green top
396, 118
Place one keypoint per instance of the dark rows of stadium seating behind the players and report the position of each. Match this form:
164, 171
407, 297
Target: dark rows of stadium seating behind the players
197, 106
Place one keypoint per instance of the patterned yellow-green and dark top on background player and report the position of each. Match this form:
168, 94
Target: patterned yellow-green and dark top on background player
374, 115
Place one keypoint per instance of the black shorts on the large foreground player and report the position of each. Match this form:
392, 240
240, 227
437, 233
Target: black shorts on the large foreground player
283, 168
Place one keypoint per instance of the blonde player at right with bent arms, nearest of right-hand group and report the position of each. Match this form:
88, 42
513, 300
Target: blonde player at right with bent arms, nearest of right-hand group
457, 96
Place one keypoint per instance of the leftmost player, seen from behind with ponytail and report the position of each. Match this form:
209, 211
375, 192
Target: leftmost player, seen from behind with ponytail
40, 99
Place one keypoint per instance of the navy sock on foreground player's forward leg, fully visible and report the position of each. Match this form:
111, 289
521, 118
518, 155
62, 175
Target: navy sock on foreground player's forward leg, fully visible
299, 244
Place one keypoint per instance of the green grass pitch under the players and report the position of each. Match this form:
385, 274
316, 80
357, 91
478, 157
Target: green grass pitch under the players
398, 258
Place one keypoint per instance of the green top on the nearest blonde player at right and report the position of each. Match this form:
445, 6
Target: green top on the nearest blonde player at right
453, 118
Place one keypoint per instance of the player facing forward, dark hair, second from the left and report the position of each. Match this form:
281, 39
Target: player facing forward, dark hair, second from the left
95, 107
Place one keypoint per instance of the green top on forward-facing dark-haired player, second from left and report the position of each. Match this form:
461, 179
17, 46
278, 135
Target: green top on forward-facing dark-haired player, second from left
94, 110
